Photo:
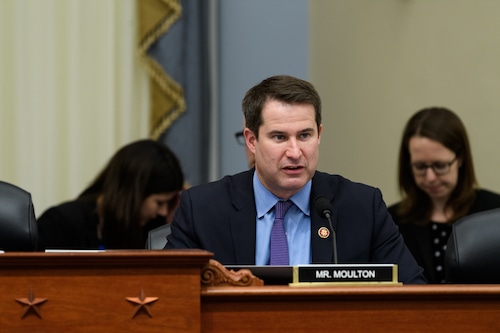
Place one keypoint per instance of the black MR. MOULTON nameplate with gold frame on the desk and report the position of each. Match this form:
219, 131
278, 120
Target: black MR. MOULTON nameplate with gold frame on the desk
346, 274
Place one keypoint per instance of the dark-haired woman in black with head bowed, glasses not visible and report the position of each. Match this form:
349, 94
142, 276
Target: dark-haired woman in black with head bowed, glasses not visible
137, 191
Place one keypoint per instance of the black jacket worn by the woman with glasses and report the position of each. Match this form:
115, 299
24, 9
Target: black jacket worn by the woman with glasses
418, 238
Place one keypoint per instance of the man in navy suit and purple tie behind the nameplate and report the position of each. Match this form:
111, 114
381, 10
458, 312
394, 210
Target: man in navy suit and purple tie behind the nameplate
233, 217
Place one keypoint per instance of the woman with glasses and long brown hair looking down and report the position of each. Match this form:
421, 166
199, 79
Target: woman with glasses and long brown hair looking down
438, 186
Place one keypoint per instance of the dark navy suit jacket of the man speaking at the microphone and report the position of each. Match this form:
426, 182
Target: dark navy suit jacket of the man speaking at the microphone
220, 217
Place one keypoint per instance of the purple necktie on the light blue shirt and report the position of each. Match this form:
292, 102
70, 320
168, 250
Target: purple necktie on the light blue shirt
279, 244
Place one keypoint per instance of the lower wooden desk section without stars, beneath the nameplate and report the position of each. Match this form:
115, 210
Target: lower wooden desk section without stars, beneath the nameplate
429, 308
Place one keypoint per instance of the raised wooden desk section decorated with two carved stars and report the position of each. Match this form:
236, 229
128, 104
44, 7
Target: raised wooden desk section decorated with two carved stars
87, 292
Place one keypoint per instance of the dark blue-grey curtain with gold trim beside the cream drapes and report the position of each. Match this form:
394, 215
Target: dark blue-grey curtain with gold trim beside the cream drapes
182, 52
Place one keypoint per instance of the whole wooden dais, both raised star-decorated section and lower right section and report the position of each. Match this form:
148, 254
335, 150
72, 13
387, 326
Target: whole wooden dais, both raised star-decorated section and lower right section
161, 291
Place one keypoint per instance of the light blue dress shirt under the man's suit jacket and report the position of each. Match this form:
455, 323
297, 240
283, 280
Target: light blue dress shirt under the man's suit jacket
297, 223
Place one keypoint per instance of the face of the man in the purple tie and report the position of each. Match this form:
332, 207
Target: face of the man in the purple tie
287, 151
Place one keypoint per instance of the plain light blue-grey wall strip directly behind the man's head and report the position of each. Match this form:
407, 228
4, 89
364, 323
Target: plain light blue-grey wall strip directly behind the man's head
258, 39
